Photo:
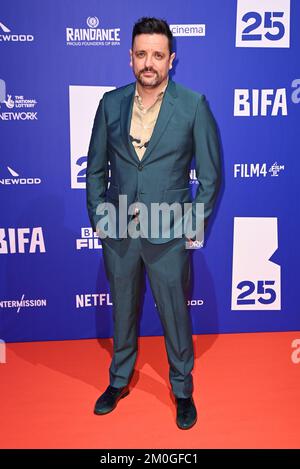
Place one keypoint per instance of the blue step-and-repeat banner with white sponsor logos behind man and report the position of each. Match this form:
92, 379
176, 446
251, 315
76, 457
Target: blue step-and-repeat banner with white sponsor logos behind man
57, 58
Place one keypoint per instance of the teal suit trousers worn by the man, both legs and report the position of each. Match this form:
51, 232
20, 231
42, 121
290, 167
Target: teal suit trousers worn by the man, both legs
168, 267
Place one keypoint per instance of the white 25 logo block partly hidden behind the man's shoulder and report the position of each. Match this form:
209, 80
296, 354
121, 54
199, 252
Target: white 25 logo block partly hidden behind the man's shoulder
83, 102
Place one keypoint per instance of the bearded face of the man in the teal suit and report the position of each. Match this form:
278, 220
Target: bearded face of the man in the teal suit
150, 59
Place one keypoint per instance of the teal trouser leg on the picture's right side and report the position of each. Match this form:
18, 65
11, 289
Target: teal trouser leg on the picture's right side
169, 277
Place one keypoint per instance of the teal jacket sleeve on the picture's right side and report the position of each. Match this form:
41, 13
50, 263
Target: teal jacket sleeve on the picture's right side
207, 158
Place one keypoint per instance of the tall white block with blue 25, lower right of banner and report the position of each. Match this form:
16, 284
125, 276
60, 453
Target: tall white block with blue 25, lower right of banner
256, 280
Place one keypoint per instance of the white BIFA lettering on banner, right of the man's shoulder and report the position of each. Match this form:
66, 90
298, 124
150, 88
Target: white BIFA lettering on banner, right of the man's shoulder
266, 102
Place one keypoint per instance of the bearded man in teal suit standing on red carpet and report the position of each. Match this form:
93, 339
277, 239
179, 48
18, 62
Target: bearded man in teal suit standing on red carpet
149, 131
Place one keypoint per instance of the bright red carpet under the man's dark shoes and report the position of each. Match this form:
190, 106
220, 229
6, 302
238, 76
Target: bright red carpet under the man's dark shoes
247, 393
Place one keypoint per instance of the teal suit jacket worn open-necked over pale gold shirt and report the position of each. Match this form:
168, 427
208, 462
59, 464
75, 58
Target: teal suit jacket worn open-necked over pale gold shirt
185, 127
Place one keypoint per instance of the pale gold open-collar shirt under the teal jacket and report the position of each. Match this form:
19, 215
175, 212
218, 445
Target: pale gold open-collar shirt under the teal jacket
143, 121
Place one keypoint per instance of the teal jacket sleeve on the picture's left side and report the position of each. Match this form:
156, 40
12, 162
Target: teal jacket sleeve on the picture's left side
97, 165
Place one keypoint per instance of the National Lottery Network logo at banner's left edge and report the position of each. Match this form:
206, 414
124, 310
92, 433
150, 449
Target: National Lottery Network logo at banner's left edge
17, 106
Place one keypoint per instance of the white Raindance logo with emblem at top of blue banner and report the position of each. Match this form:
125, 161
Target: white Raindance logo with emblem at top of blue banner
93, 36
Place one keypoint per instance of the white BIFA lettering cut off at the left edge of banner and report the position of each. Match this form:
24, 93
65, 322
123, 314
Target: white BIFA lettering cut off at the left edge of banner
22, 240
